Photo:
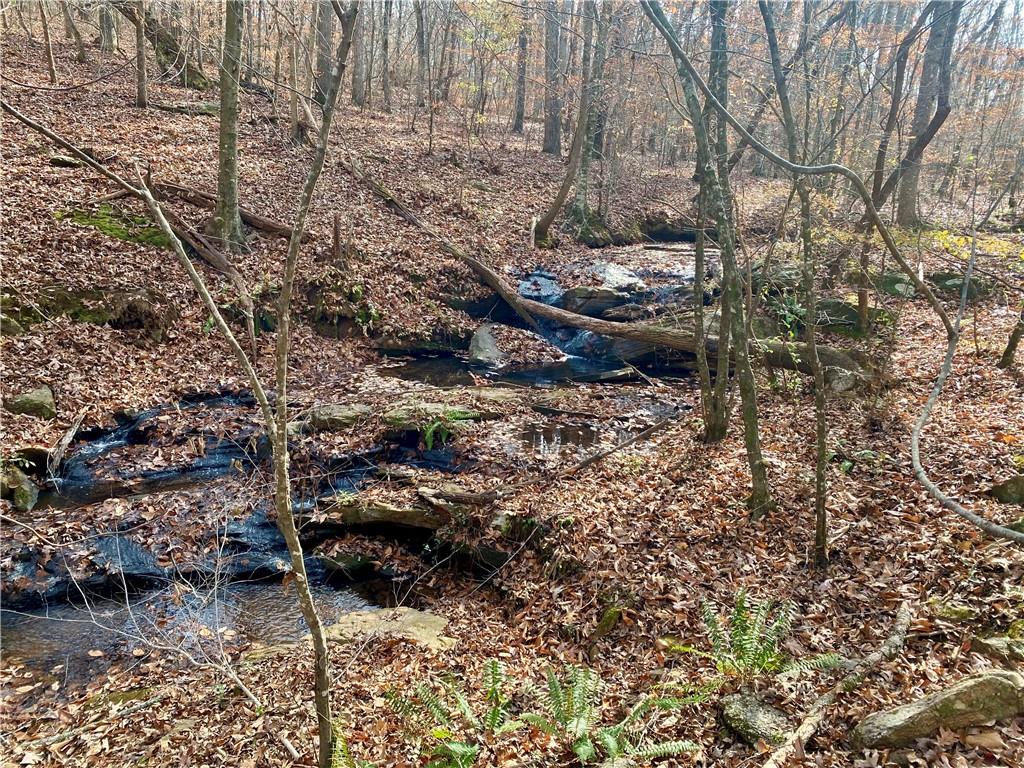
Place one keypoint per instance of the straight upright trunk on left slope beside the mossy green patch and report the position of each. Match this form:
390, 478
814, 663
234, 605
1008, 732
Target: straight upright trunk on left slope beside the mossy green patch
227, 225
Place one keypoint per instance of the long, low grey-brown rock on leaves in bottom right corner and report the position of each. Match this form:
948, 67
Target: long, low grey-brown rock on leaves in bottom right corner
996, 695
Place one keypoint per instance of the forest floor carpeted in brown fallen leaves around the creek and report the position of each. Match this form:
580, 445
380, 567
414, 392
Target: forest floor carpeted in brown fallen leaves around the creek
656, 530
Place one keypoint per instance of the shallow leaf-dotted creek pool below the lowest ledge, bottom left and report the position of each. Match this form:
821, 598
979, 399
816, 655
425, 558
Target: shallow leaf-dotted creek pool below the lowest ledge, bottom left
77, 643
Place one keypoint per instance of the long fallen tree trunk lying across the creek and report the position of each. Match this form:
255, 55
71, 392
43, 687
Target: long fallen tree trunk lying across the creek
842, 371
